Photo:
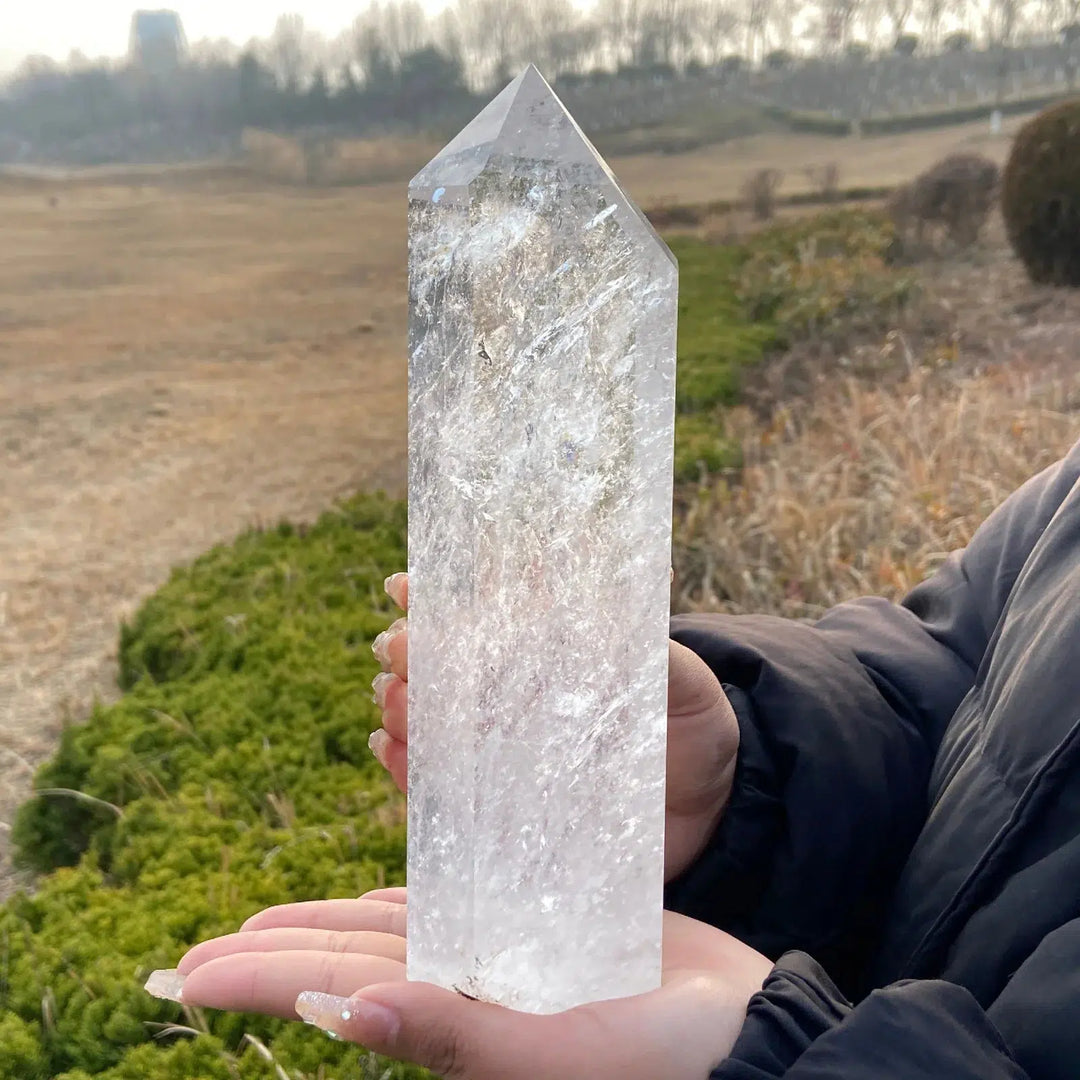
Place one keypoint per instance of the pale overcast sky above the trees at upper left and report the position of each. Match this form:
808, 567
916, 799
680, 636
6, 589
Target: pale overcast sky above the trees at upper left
100, 28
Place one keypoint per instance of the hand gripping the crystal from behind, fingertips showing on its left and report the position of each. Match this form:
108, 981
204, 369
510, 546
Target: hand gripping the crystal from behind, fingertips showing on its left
703, 736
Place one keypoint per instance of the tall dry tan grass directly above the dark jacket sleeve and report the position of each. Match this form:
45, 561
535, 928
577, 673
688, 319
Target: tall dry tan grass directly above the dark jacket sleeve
866, 491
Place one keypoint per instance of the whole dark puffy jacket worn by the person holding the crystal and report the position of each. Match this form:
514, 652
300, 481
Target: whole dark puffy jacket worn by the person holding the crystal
907, 813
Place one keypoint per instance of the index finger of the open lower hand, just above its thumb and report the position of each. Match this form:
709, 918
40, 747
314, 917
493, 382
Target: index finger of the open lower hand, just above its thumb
269, 983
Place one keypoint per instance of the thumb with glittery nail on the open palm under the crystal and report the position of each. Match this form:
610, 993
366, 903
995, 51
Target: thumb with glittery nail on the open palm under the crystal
452, 1035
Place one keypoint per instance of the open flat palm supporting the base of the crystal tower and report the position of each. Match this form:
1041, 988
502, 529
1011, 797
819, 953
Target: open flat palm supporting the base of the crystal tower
341, 965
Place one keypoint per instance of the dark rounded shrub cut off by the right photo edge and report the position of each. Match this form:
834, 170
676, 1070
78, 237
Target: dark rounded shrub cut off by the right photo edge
1042, 196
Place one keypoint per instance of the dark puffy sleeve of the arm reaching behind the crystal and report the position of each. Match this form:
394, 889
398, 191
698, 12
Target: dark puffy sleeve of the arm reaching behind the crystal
840, 725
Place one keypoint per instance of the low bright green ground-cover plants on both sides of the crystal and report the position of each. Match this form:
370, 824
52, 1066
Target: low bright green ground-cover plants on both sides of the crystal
234, 773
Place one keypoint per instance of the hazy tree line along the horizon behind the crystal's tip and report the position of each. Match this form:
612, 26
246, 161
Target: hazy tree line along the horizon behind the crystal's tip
399, 66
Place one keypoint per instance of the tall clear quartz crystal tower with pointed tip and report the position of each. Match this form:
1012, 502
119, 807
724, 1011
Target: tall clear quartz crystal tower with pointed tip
543, 314
